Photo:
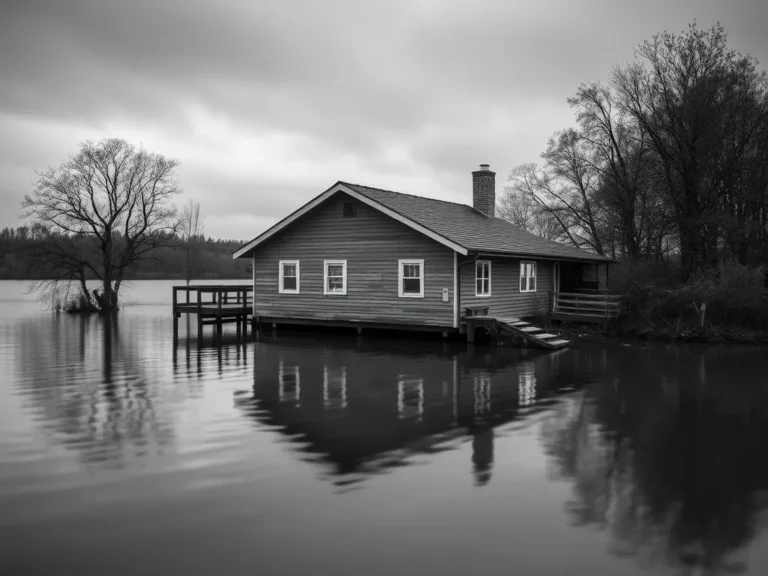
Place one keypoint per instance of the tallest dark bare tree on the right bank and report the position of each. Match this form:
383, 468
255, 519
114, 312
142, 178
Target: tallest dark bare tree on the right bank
689, 93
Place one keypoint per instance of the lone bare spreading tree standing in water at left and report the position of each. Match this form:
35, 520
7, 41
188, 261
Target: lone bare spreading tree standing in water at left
113, 203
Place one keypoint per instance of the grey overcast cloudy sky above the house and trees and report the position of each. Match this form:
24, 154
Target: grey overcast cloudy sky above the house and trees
267, 103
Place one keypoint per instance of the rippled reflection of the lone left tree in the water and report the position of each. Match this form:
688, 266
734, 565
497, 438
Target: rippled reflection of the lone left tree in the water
85, 381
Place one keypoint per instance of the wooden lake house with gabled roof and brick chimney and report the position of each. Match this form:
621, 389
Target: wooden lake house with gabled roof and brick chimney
361, 256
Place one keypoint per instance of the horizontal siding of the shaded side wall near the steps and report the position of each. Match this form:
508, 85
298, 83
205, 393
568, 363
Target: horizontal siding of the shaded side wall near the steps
506, 298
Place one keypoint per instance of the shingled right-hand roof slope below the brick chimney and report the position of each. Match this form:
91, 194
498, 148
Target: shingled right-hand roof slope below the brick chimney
471, 228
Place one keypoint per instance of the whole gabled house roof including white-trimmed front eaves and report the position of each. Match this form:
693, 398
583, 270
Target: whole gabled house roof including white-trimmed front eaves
458, 226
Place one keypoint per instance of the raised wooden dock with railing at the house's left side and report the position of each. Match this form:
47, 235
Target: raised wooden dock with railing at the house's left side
214, 305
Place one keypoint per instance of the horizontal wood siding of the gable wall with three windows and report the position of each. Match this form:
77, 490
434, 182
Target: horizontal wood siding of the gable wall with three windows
372, 244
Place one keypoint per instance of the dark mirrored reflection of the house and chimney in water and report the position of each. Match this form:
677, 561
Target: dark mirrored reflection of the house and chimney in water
360, 407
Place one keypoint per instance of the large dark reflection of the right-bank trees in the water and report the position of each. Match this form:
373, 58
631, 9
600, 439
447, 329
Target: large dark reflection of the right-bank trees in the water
668, 455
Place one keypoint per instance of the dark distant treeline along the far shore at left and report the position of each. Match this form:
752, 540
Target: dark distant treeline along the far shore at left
214, 259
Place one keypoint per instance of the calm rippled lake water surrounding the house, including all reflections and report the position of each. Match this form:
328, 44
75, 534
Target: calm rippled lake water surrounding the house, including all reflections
122, 453
